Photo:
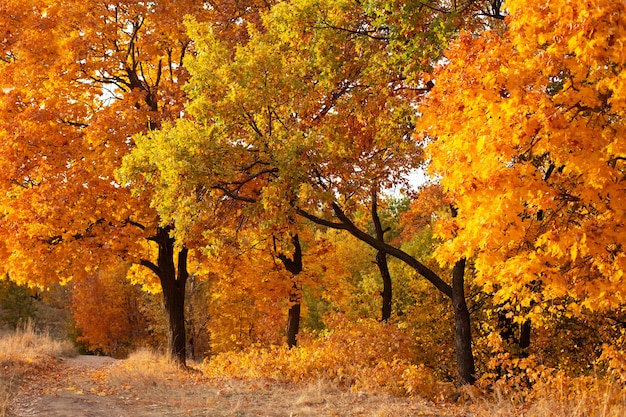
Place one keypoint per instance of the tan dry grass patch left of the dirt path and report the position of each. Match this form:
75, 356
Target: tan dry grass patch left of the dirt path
25, 352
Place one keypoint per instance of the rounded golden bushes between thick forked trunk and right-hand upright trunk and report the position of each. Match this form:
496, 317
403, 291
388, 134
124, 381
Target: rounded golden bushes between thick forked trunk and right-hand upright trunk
365, 356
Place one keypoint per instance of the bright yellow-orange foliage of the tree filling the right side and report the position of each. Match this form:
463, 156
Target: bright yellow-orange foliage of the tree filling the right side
532, 154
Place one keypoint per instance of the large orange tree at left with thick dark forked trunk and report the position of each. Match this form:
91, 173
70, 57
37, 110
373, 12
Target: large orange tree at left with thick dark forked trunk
78, 80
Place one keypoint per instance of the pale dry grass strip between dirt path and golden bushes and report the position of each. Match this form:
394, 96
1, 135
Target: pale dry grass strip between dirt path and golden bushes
147, 379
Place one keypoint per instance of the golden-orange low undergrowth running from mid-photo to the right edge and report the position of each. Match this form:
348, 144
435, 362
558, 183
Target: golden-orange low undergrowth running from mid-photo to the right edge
368, 356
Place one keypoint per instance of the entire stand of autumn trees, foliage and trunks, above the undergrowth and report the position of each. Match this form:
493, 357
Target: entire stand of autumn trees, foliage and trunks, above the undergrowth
239, 142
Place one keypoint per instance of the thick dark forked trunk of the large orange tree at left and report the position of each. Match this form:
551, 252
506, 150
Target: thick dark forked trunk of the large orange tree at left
173, 279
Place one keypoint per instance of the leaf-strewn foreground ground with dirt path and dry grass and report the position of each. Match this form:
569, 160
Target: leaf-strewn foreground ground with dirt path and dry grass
93, 386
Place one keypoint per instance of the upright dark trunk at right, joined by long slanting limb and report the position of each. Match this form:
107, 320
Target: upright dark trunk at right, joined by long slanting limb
463, 333
